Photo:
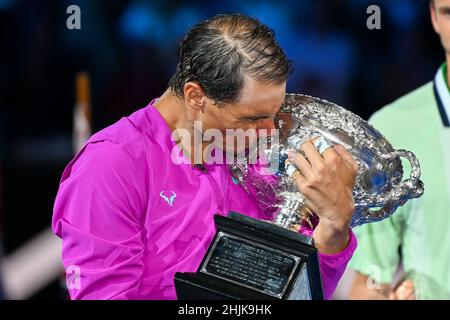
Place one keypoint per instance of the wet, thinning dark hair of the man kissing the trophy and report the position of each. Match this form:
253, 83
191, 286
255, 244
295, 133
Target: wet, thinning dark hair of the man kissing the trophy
218, 52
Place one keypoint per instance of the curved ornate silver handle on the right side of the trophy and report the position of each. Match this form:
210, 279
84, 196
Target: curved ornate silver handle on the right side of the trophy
397, 196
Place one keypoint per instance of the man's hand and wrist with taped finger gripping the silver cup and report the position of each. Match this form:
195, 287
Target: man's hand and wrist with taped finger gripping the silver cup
326, 181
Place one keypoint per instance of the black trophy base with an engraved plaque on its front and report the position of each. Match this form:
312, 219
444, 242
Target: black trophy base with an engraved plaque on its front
250, 259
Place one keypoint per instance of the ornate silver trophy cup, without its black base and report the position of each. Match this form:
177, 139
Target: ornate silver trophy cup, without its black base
379, 189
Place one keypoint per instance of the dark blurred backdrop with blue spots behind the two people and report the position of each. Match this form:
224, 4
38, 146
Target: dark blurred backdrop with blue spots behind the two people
128, 49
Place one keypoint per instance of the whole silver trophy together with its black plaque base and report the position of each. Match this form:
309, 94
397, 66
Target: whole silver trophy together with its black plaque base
243, 246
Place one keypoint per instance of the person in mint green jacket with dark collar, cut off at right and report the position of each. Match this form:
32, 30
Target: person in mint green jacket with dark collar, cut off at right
417, 237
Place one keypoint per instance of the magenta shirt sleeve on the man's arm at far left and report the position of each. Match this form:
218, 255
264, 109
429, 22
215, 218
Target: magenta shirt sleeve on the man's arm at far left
97, 216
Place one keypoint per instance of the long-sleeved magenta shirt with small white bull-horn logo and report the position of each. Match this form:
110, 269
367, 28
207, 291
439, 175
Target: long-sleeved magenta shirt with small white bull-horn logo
129, 218
